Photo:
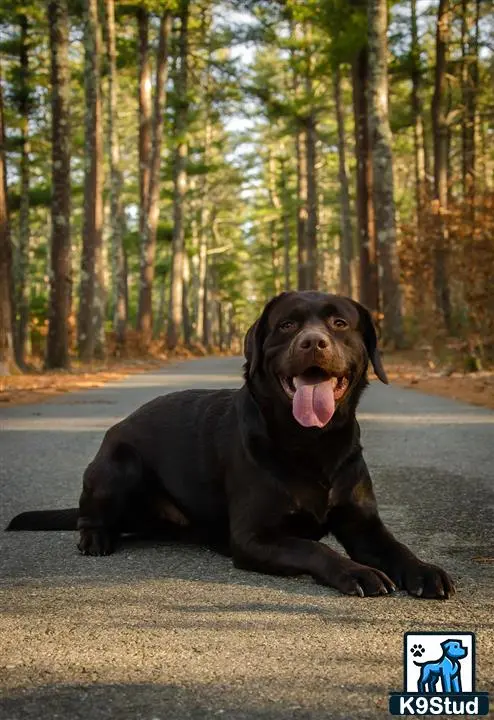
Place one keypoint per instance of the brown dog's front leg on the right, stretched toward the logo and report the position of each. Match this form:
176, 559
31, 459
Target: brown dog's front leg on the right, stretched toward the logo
357, 525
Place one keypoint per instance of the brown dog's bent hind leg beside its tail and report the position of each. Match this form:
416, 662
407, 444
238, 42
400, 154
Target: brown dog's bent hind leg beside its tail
109, 483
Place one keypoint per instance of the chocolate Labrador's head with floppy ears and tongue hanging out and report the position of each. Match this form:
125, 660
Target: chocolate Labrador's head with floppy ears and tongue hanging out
311, 350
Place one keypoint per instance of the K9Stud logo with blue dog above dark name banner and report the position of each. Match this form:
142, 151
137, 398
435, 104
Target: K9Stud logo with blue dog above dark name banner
439, 676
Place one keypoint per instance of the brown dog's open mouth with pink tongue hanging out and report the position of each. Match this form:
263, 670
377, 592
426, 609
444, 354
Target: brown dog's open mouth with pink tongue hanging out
314, 394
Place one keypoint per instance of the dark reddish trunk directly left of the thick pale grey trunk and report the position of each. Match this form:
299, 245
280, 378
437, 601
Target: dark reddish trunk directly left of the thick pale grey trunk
369, 286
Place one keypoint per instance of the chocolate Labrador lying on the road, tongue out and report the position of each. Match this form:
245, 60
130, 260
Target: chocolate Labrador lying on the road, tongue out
264, 472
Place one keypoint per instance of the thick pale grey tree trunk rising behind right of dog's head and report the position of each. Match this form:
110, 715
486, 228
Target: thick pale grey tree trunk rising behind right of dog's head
382, 158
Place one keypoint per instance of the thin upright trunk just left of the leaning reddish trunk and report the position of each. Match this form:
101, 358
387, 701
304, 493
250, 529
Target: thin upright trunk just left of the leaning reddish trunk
145, 119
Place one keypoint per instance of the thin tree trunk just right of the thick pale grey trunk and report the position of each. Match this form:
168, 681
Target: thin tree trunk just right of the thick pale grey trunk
418, 123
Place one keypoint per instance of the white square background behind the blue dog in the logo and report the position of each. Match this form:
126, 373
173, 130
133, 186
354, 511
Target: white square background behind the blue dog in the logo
431, 643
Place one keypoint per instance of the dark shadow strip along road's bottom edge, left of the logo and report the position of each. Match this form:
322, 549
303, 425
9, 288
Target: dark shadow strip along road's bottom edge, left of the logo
146, 701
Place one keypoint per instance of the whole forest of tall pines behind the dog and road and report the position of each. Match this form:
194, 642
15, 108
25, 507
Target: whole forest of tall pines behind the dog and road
166, 167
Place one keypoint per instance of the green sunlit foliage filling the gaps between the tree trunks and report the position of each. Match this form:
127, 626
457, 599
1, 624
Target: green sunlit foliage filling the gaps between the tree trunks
255, 76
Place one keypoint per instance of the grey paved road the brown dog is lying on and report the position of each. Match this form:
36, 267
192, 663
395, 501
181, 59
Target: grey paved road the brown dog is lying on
166, 632
